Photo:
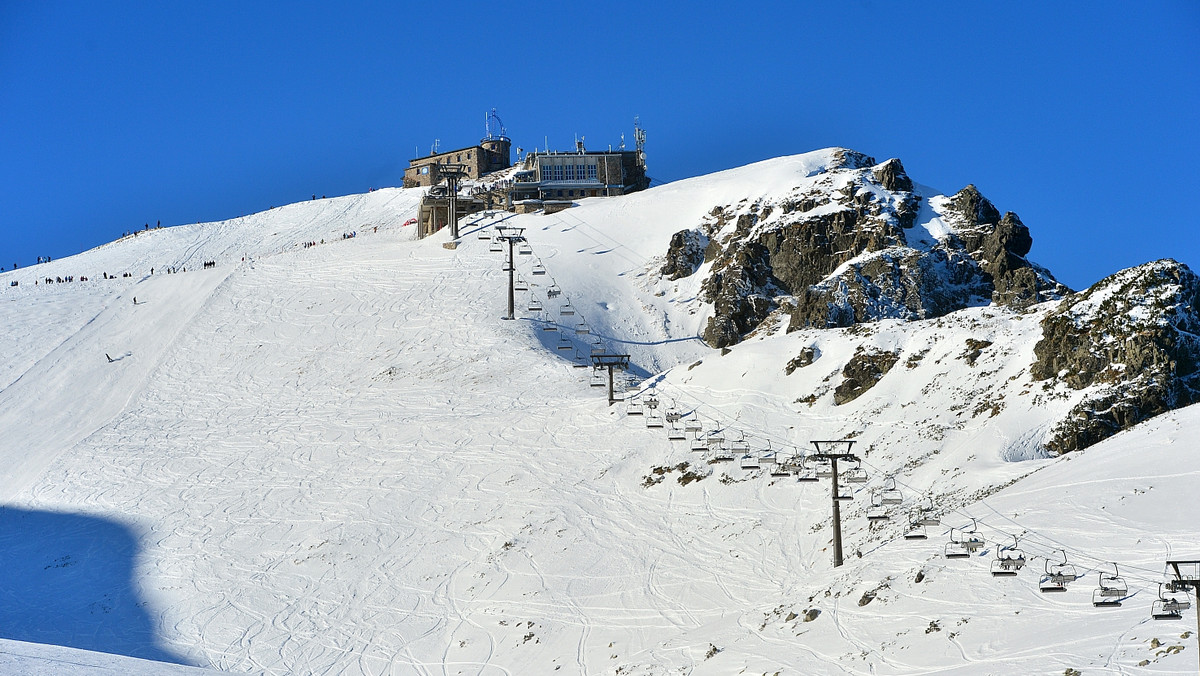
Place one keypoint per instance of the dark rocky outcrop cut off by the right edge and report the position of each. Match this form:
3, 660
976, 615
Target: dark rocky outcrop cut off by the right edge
1136, 337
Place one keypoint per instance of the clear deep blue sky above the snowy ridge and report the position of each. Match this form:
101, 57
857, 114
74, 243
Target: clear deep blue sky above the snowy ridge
1081, 117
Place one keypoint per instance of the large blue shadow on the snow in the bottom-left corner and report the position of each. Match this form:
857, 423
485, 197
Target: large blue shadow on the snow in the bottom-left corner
68, 581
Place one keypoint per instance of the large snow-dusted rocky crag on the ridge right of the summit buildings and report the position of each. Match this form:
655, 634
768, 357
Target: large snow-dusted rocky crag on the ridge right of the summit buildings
839, 253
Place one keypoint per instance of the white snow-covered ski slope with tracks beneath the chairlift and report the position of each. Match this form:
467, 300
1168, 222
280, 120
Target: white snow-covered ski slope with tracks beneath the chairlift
340, 459
